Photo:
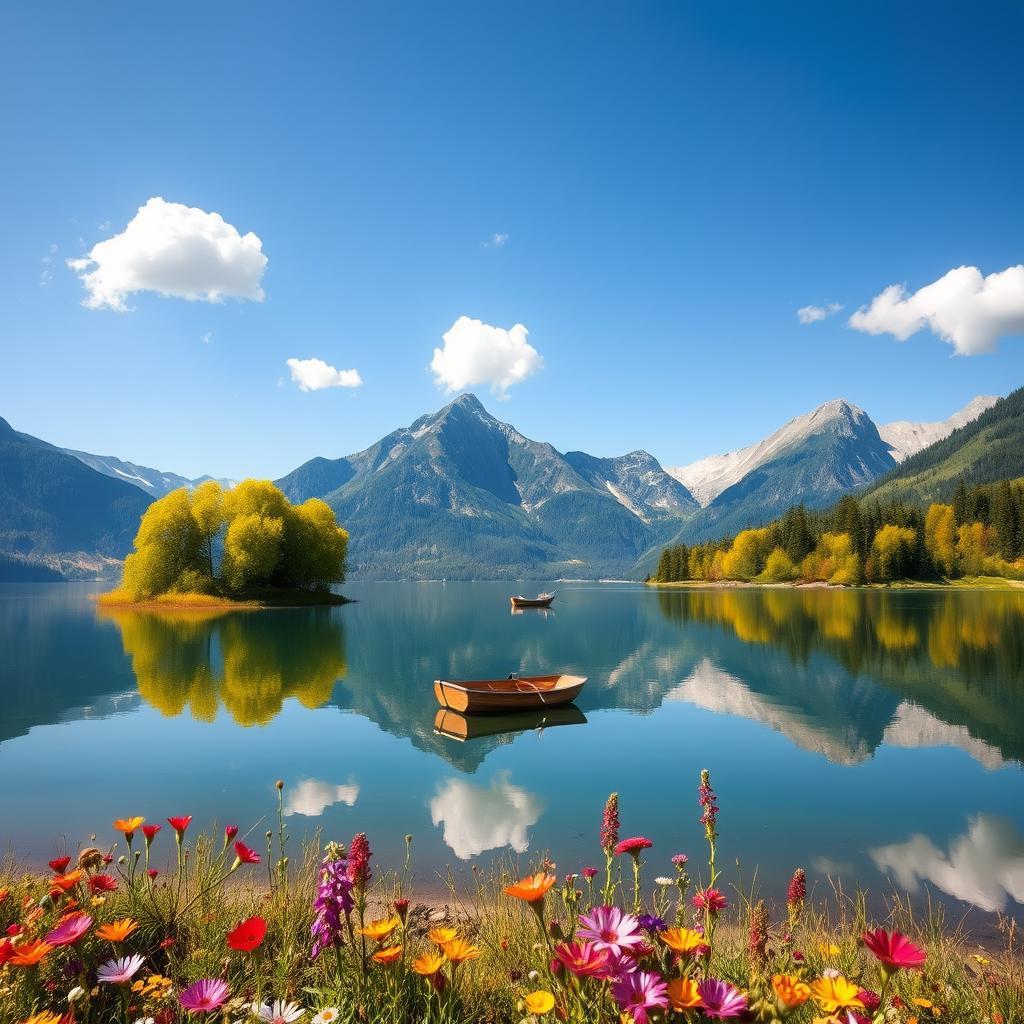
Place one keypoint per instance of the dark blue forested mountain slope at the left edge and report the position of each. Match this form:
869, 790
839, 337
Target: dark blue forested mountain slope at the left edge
57, 510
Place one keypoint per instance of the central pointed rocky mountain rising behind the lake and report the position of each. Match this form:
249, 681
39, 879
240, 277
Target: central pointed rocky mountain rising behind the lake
460, 494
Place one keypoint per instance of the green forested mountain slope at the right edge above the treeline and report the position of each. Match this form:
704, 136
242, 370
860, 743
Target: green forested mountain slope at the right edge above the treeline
988, 449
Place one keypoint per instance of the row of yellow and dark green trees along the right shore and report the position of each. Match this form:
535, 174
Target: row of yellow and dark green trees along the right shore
982, 533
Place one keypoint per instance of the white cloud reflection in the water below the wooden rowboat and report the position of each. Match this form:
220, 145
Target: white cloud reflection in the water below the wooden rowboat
479, 819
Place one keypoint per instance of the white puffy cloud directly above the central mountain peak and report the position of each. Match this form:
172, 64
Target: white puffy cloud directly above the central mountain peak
476, 353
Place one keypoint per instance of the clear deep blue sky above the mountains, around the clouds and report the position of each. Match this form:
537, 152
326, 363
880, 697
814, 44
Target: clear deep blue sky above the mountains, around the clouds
675, 182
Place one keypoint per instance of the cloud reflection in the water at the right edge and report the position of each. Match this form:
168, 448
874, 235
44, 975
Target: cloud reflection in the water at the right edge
985, 867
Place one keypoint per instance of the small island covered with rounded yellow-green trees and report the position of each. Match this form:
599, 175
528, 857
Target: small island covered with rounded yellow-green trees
248, 547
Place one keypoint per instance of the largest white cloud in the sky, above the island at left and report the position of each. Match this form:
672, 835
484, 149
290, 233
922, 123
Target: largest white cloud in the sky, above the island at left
177, 251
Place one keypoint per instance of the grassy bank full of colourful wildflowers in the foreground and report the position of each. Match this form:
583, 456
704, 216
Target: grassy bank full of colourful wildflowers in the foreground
226, 932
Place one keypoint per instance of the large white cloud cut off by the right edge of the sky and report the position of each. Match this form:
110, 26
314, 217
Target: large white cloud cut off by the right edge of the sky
969, 311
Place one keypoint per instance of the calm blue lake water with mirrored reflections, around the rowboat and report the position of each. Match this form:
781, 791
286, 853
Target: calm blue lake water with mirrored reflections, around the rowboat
876, 736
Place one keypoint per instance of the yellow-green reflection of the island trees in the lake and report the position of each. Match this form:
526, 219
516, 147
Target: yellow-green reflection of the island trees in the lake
247, 662
